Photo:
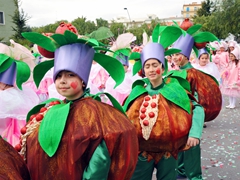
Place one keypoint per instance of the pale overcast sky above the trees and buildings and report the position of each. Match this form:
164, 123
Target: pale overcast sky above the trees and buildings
43, 12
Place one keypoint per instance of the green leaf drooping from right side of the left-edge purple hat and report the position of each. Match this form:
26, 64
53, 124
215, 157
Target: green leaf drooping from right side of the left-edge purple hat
23, 73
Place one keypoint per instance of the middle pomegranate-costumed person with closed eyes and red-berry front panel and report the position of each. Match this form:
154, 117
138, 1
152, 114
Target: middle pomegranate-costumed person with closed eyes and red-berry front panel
161, 116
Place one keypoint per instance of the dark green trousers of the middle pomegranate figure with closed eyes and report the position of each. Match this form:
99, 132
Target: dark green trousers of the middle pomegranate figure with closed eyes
166, 169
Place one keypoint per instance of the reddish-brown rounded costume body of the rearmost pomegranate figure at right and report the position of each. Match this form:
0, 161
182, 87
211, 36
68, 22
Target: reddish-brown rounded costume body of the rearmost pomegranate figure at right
209, 94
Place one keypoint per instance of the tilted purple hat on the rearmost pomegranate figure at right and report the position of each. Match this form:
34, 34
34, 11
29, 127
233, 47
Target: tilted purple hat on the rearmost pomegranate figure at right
185, 44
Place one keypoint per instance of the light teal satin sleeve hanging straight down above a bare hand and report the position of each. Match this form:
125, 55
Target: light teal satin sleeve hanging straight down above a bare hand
197, 119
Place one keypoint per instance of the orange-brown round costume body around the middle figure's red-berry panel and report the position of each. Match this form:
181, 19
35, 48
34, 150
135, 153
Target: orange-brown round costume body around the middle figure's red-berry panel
170, 132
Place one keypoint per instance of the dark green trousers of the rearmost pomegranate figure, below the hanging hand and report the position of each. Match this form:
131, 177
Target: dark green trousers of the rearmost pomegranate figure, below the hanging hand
189, 163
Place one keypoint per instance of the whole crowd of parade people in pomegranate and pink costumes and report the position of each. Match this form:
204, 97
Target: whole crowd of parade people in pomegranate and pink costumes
74, 108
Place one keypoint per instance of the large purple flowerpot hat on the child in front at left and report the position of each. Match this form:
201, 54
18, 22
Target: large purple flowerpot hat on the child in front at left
76, 58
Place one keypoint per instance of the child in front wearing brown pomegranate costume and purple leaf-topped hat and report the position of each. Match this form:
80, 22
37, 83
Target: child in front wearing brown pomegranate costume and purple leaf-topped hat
80, 137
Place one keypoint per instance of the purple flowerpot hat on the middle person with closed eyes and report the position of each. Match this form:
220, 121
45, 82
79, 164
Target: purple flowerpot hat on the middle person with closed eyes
153, 50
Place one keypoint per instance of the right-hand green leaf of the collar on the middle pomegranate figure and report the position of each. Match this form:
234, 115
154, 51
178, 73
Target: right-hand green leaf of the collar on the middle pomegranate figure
175, 93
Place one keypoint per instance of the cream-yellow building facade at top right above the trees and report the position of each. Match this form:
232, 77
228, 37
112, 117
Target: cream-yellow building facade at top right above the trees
190, 10
